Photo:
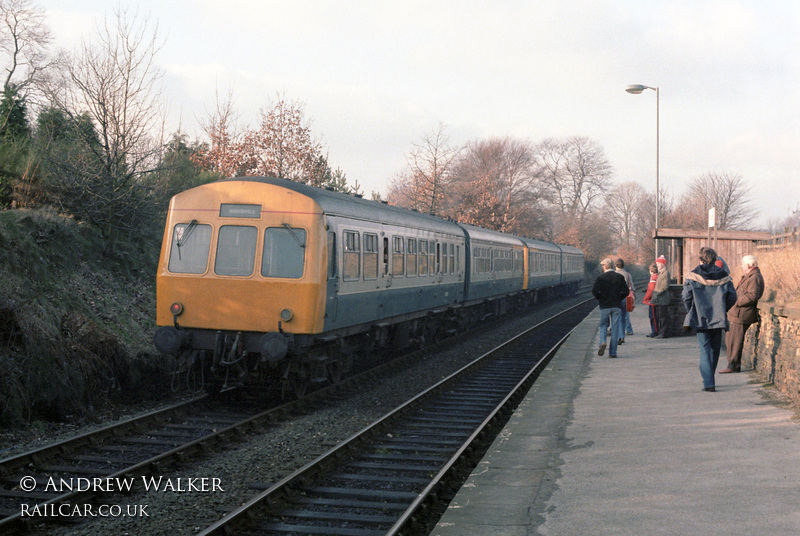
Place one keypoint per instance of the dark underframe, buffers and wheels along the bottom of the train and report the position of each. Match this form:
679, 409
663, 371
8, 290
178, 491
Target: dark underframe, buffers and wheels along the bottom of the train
291, 364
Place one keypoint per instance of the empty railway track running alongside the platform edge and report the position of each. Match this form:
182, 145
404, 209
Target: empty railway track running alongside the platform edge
397, 475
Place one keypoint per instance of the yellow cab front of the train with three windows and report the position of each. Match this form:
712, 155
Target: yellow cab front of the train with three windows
242, 256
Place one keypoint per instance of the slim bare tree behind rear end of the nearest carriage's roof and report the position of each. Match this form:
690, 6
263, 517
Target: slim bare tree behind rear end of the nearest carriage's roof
429, 162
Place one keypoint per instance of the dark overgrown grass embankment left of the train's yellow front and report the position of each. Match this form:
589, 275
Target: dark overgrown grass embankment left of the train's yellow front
76, 319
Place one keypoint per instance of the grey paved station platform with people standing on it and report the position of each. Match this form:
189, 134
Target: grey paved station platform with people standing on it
633, 446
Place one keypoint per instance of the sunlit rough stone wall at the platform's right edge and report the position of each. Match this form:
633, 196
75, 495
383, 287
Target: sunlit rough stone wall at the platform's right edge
772, 348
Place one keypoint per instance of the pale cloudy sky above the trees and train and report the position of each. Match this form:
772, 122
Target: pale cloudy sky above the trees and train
375, 76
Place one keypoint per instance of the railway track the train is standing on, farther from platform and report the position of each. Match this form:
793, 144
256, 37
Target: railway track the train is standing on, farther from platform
66, 473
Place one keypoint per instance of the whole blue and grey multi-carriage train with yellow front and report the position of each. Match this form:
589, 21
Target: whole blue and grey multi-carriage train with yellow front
273, 282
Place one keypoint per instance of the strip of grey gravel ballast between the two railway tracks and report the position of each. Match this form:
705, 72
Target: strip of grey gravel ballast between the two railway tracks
265, 458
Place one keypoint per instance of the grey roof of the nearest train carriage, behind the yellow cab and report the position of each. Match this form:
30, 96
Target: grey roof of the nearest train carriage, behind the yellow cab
339, 204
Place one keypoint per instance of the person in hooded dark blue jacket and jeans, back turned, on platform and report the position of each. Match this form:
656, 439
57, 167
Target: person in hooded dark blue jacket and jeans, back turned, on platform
707, 295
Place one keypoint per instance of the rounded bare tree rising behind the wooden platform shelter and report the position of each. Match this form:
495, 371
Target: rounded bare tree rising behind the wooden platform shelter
727, 193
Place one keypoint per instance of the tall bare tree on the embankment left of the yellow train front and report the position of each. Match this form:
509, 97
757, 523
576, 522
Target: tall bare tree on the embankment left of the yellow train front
114, 82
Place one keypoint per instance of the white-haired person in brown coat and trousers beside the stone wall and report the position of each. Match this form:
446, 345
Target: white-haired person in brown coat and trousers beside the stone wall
744, 312
